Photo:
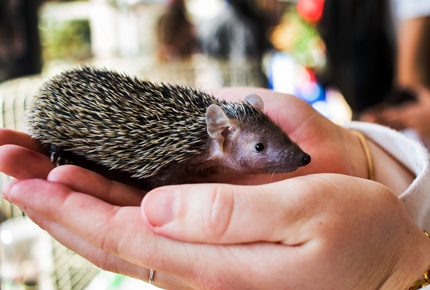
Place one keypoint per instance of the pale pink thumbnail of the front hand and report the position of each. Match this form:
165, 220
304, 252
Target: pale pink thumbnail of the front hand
159, 206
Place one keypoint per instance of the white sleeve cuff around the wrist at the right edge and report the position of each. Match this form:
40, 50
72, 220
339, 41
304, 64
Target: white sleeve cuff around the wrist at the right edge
412, 155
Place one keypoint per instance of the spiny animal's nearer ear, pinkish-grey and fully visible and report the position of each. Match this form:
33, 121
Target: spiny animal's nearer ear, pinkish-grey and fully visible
216, 121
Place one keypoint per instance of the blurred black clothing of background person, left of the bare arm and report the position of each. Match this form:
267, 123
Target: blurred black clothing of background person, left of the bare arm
359, 49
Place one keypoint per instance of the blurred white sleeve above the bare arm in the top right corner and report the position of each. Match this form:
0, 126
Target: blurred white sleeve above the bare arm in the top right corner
408, 9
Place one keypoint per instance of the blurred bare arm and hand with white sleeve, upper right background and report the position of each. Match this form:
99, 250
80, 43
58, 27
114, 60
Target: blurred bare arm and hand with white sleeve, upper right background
413, 72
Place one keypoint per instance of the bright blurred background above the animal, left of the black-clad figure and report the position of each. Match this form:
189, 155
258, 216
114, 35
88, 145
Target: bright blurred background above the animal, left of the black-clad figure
202, 43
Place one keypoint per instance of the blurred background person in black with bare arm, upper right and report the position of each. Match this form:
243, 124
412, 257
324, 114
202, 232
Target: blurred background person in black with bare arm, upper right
379, 58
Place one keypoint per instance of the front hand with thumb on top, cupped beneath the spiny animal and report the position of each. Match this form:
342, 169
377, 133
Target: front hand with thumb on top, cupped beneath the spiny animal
323, 231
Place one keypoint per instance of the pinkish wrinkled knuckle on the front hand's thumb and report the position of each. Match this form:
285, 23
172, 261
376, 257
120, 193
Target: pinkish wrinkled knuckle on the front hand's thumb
217, 220
